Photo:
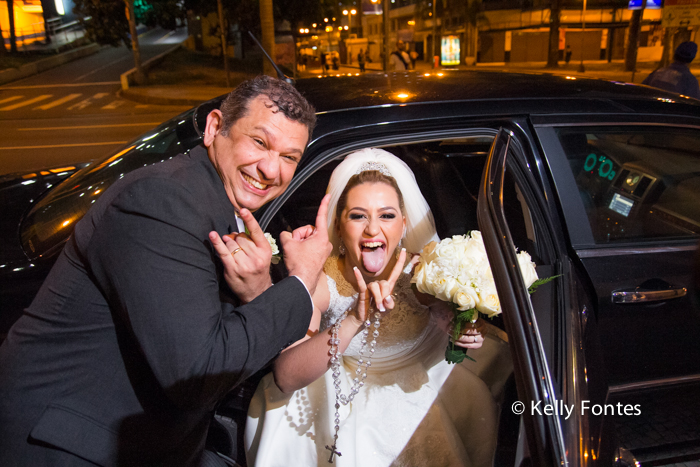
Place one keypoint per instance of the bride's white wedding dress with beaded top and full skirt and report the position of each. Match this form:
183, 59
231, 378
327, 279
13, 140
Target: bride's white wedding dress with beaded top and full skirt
415, 409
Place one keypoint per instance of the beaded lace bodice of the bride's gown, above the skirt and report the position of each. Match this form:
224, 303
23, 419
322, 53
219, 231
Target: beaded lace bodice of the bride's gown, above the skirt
401, 328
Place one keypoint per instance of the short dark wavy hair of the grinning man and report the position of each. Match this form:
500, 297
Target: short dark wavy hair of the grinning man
283, 96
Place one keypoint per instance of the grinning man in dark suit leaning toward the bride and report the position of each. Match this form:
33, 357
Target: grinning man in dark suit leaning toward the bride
148, 317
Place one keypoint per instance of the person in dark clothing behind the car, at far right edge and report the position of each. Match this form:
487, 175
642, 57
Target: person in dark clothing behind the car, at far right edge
677, 76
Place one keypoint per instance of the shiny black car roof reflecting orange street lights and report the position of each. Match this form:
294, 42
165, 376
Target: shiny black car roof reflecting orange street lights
339, 92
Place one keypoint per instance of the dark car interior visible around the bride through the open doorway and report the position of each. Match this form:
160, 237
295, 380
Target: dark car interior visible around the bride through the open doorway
449, 174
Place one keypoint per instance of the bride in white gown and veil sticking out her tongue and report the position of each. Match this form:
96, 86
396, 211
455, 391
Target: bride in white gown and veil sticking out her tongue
389, 397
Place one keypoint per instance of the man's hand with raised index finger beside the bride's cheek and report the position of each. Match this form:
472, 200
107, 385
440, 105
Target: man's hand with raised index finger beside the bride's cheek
307, 248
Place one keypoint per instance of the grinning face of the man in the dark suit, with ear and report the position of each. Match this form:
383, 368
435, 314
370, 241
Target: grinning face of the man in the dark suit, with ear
257, 160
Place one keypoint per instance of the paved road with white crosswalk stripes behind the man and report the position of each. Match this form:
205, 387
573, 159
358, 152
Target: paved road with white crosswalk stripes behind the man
74, 113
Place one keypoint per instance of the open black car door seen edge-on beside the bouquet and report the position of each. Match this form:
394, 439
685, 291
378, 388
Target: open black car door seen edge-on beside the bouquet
544, 443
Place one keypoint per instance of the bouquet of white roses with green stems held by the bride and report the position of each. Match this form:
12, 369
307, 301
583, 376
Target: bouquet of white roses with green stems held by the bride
456, 270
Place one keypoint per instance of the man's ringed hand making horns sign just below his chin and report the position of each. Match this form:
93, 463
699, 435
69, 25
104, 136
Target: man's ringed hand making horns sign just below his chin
246, 259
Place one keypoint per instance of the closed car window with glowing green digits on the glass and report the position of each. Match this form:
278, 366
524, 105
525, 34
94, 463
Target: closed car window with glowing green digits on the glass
636, 183
